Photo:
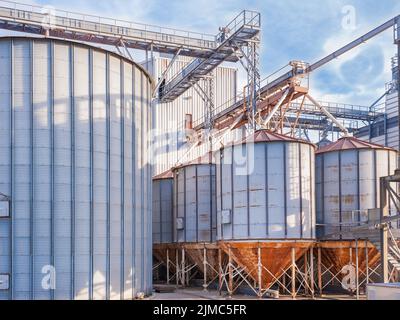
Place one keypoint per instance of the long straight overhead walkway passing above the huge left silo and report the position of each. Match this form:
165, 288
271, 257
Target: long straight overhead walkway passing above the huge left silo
89, 28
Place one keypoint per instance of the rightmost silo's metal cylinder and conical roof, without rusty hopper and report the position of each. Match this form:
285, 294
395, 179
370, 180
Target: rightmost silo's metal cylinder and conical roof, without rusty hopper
348, 176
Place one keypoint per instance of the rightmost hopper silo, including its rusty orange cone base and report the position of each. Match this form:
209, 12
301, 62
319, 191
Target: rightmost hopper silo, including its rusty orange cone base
348, 174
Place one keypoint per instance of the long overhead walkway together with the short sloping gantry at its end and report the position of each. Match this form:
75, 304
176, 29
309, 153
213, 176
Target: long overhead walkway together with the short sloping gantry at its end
209, 51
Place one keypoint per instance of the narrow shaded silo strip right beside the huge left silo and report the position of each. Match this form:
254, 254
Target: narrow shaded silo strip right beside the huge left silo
163, 211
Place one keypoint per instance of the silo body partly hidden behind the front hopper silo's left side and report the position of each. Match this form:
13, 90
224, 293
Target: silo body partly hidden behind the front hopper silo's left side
195, 202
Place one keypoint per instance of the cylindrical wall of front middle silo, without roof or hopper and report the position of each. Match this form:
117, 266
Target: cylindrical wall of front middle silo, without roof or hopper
267, 189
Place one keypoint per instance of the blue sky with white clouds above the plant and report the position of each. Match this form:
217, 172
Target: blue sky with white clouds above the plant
292, 30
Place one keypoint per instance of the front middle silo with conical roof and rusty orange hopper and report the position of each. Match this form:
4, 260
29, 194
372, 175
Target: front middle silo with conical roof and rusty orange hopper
265, 200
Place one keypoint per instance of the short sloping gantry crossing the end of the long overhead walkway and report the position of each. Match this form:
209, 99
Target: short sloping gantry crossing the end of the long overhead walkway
238, 33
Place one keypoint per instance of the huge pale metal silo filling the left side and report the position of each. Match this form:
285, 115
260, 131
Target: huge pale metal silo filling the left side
74, 121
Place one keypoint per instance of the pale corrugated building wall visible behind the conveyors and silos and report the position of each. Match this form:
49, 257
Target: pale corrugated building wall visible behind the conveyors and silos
170, 138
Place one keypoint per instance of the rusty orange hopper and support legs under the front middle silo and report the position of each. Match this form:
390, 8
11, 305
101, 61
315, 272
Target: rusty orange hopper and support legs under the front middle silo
260, 276
